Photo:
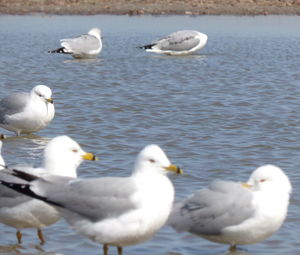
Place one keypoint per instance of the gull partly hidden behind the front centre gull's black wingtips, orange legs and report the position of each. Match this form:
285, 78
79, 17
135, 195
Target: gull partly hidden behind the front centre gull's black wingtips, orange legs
62, 156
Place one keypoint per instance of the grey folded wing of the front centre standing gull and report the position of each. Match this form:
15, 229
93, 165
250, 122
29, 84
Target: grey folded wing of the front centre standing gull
94, 199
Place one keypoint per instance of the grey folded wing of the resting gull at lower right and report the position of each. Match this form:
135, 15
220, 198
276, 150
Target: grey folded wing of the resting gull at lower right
210, 210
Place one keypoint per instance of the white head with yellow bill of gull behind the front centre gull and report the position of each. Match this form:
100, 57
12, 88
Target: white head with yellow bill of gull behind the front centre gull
62, 156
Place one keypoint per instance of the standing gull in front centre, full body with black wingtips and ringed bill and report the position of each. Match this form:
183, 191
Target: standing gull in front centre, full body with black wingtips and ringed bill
114, 211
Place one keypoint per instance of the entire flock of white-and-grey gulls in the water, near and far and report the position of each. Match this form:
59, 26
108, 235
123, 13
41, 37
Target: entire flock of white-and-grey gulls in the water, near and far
122, 211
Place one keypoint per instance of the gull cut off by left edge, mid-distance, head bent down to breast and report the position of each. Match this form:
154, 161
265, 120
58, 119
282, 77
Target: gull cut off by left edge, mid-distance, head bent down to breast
25, 113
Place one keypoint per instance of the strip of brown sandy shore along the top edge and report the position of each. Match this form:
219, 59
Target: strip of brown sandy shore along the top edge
155, 7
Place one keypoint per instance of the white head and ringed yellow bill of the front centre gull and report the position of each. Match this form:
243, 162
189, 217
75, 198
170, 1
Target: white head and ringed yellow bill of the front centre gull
152, 159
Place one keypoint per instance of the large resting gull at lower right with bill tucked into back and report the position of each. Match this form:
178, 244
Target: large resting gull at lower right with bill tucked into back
236, 213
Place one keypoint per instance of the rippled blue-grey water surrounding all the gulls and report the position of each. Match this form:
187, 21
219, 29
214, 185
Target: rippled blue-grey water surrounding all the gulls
218, 114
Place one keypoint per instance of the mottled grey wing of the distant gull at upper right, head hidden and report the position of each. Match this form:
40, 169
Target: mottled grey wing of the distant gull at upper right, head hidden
179, 41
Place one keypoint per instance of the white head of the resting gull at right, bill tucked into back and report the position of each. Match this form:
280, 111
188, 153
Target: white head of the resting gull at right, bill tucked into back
270, 178
